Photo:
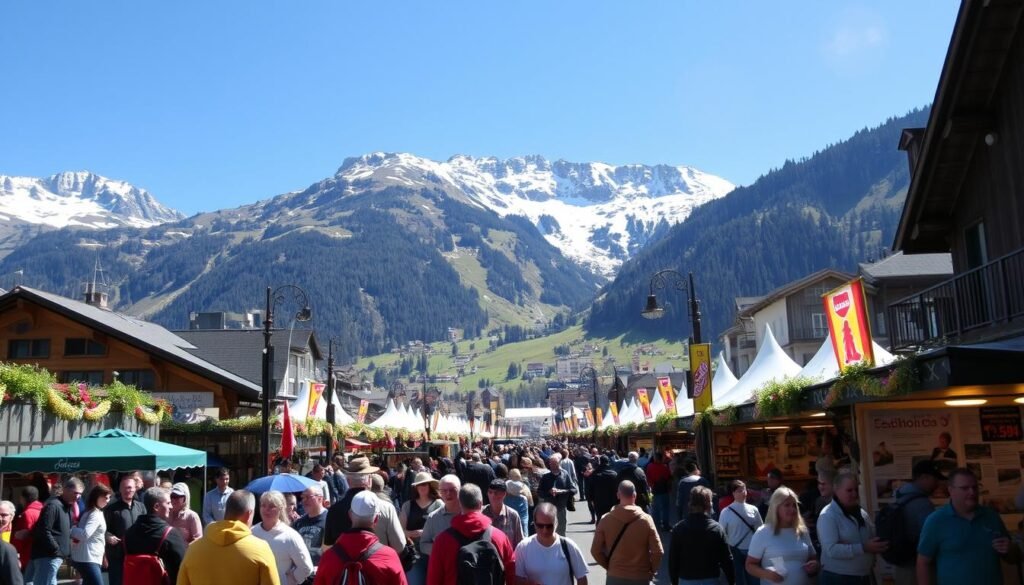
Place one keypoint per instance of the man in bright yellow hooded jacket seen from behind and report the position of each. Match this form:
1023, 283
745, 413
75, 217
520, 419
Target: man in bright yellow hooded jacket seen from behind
229, 554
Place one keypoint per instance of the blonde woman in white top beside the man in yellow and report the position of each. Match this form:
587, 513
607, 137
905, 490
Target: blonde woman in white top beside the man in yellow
294, 563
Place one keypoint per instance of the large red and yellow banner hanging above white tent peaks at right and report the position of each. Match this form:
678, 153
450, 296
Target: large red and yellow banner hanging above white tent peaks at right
849, 326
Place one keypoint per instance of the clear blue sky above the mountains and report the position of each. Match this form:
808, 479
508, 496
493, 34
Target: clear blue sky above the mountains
214, 105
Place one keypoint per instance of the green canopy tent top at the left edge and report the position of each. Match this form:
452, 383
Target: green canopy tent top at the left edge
112, 450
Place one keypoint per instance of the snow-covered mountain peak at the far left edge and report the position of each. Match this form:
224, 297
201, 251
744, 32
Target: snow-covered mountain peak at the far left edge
79, 199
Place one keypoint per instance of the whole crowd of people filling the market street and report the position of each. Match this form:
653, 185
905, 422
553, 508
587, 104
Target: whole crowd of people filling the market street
499, 515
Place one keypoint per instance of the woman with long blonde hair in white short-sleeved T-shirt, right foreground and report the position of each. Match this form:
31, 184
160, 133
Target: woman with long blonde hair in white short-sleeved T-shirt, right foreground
782, 551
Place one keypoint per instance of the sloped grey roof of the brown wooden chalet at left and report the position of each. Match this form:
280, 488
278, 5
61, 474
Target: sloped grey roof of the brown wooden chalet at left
140, 333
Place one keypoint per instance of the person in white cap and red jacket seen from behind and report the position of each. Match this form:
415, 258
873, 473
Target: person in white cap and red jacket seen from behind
381, 567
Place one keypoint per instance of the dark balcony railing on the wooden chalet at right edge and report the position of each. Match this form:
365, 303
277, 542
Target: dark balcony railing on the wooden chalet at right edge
962, 308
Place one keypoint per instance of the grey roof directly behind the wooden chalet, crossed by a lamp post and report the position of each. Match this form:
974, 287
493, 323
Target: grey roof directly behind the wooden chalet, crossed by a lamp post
241, 351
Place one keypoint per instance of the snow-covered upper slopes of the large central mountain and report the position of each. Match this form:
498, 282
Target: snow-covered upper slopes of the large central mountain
596, 215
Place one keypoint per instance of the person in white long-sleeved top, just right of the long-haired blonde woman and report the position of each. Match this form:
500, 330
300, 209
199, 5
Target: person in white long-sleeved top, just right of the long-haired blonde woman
847, 537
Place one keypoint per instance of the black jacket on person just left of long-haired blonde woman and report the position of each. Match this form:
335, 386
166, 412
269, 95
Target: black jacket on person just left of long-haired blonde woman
701, 541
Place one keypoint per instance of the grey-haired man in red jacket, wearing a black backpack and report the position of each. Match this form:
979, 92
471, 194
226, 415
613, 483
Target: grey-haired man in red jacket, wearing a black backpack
472, 524
